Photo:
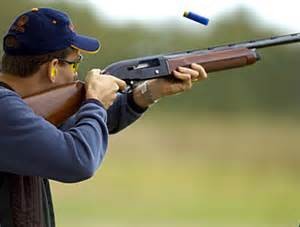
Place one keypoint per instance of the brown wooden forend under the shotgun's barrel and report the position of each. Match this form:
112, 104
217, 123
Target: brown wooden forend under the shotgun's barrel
218, 60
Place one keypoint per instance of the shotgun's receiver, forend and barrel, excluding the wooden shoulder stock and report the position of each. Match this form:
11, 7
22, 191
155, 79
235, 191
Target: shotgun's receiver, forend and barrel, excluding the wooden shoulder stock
214, 59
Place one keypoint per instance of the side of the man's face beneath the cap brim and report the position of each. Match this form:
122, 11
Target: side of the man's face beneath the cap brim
66, 70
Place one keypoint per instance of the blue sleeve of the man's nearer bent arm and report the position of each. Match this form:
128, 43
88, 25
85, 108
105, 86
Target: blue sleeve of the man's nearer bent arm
31, 146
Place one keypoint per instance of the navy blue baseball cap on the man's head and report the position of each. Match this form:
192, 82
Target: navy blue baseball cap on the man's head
45, 30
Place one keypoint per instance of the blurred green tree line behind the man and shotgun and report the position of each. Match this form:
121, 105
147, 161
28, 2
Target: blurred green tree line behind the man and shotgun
271, 86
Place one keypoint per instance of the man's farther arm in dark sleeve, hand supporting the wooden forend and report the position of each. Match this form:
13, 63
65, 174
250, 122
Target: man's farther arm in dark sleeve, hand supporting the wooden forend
128, 108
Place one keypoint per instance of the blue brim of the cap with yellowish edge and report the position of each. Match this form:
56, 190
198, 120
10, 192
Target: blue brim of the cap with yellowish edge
86, 44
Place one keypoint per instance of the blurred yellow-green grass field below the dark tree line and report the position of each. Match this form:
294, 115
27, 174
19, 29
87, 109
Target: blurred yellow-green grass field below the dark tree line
200, 171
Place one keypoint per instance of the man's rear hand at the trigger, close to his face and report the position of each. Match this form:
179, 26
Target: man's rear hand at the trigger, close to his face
102, 87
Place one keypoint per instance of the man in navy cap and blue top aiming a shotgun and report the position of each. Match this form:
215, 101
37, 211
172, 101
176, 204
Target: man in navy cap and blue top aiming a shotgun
42, 51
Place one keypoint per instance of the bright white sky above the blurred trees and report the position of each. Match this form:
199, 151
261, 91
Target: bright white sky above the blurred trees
282, 14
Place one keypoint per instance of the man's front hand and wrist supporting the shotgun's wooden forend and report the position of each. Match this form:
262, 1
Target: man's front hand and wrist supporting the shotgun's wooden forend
158, 88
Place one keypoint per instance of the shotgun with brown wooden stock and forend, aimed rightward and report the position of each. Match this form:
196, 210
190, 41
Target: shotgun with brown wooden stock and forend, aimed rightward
58, 104
